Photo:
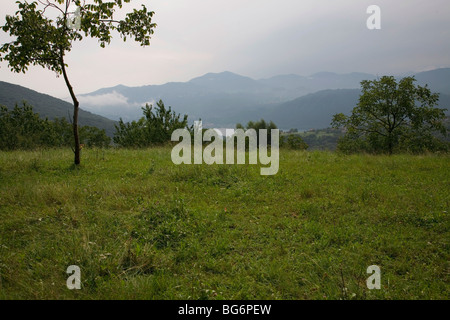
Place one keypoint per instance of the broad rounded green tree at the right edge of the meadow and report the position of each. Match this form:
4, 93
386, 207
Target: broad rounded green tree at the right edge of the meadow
392, 116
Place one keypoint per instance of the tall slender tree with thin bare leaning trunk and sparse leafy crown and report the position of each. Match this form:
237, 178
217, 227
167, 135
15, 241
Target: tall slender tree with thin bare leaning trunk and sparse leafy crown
43, 40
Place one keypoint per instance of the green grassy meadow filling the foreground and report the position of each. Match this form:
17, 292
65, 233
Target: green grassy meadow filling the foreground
140, 227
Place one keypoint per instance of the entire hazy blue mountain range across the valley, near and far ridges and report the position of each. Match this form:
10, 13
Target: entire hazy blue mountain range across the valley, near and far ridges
223, 99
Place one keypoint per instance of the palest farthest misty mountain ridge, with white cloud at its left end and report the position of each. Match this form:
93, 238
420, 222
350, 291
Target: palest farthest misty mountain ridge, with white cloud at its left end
216, 98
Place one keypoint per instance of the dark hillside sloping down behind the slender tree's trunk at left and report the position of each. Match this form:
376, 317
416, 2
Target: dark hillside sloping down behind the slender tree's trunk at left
50, 107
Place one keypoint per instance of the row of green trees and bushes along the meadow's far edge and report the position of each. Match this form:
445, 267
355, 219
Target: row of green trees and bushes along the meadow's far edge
390, 117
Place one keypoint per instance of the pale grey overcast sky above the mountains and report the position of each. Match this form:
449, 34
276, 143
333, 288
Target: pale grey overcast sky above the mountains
255, 38
